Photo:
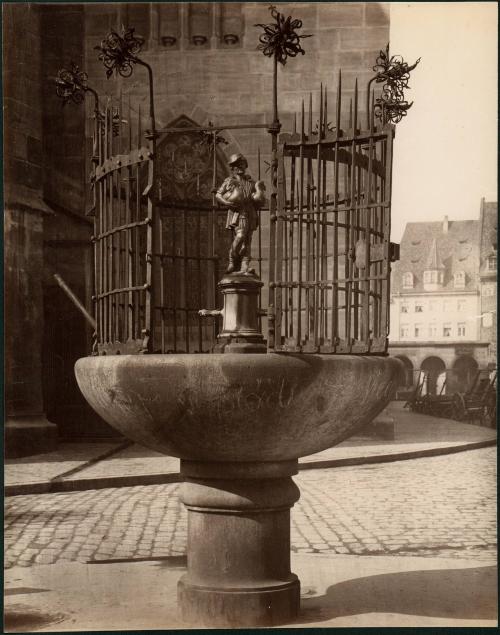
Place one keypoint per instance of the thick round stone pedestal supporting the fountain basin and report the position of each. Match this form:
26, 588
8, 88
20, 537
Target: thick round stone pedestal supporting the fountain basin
239, 544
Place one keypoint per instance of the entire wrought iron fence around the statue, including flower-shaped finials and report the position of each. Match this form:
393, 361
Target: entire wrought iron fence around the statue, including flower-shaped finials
160, 242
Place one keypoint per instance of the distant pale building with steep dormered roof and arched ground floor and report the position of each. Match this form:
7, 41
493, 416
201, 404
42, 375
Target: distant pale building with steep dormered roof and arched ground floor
443, 300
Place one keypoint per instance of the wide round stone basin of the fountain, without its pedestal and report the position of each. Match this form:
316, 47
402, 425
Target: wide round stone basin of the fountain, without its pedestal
253, 407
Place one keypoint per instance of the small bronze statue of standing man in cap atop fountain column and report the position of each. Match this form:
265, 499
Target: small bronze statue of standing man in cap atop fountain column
244, 197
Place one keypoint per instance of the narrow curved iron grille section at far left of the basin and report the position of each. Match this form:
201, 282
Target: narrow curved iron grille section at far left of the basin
123, 180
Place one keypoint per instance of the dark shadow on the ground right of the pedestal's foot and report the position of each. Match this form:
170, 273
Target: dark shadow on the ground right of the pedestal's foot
469, 593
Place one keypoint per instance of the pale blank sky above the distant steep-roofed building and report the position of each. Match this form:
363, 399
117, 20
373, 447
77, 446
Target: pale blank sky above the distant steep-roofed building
445, 154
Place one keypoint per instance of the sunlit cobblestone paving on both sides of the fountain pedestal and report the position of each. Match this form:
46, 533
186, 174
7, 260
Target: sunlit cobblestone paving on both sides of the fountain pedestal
440, 506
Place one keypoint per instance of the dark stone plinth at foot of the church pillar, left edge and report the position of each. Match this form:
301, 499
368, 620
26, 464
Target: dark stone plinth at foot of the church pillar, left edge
28, 435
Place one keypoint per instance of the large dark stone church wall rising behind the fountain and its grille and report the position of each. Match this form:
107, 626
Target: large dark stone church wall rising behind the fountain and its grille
206, 68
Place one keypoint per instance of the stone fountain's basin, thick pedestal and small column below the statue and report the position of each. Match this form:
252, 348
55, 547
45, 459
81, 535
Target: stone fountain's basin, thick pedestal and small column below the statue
239, 423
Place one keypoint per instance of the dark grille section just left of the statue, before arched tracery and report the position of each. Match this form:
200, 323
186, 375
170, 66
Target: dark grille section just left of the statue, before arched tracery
190, 237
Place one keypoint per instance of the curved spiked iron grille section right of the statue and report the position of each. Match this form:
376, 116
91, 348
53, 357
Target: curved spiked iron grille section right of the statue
330, 238
